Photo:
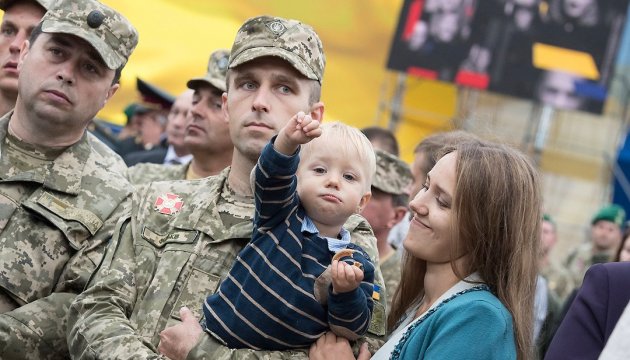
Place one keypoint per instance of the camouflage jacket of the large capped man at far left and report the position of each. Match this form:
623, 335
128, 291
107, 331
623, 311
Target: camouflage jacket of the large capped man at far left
55, 221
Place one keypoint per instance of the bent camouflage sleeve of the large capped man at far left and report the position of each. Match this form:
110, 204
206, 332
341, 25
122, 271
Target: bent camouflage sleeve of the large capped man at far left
38, 330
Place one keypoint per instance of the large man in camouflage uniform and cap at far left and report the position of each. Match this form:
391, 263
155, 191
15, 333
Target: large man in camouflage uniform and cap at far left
61, 190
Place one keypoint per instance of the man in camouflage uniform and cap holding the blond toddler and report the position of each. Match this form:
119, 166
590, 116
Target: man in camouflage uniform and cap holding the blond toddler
183, 236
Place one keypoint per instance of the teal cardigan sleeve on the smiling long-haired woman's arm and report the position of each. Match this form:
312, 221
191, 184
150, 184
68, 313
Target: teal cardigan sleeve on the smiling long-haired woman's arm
479, 330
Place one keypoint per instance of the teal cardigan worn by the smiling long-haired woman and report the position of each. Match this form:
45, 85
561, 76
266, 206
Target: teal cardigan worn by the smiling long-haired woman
470, 325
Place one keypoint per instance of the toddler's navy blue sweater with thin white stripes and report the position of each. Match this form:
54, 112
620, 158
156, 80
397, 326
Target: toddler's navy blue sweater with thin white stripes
268, 300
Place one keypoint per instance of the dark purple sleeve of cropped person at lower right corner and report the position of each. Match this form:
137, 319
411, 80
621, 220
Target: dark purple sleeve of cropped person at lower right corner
581, 333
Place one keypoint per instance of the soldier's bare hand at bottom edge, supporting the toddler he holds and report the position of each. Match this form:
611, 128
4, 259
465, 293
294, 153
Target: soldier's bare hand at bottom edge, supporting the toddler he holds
177, 341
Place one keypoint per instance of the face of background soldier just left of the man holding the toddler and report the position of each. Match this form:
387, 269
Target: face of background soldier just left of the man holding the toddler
207, 129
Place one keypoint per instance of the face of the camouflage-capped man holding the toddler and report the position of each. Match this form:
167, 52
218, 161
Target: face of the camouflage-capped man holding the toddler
263, 94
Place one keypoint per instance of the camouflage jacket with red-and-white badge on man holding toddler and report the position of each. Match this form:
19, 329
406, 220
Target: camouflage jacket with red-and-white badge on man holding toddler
158, 263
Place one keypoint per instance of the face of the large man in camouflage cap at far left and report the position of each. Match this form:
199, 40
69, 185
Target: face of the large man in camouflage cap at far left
64, 81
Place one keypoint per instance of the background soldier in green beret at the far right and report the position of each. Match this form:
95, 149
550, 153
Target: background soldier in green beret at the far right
606, 235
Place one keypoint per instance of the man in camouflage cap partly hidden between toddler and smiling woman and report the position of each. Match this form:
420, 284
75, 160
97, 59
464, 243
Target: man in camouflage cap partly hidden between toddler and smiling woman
386, 208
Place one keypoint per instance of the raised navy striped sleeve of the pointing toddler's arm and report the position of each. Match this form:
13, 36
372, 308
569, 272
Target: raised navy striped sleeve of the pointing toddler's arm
275, 189
